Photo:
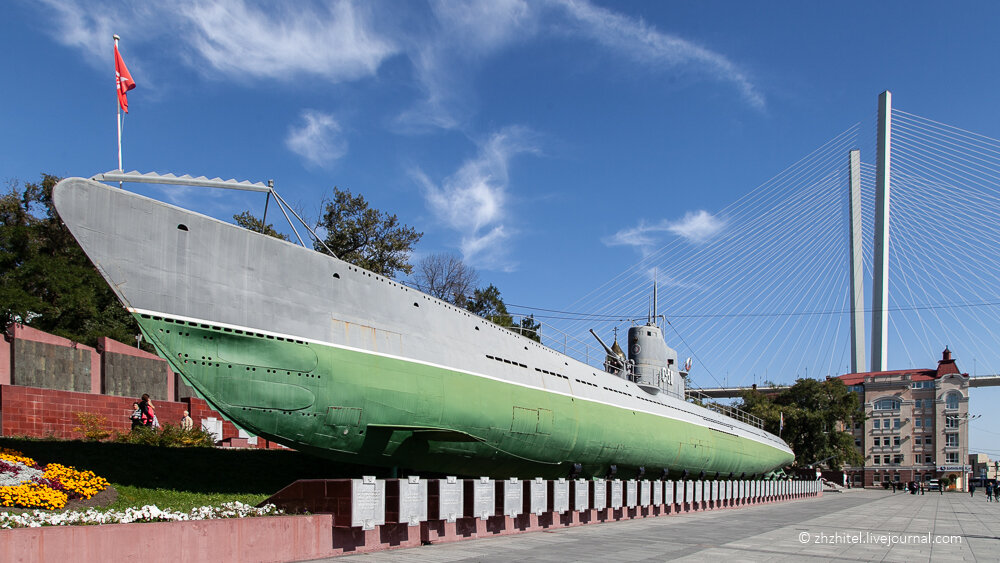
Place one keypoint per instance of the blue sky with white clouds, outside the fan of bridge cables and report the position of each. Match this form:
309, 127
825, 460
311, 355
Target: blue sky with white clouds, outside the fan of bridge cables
528, 137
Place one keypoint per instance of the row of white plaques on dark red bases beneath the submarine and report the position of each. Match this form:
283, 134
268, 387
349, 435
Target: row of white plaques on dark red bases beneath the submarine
414, 500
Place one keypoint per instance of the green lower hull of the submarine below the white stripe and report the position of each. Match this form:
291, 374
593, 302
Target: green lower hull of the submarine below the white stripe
367, 409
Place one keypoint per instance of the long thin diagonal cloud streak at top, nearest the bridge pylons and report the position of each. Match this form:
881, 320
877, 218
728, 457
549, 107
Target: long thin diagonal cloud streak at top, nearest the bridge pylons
644, 43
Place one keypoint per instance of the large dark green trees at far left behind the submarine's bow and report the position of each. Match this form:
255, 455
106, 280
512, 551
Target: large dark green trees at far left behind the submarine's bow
46, 280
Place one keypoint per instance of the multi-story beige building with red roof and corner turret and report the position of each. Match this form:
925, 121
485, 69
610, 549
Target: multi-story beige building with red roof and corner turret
916, 425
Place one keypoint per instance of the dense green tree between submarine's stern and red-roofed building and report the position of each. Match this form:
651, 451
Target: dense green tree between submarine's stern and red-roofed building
815, 413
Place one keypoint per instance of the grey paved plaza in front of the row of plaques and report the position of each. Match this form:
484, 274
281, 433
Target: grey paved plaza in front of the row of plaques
856, 525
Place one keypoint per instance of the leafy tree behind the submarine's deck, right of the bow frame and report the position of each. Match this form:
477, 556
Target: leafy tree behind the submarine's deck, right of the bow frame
366, 237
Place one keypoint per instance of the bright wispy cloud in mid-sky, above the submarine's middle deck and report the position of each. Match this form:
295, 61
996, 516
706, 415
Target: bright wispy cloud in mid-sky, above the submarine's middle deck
473, 201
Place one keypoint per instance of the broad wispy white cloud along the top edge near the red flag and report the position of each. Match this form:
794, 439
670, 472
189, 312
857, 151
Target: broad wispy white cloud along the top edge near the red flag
233, 38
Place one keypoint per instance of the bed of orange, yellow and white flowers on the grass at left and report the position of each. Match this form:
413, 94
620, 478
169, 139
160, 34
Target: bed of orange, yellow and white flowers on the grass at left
25, 484
